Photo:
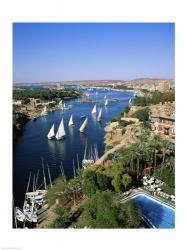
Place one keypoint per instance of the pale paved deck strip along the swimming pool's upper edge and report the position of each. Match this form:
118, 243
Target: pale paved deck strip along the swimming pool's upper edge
134, 192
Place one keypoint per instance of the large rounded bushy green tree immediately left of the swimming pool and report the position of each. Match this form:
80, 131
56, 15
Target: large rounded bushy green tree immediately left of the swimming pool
104, 210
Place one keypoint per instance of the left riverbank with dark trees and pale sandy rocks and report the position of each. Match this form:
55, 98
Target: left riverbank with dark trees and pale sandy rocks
28, 105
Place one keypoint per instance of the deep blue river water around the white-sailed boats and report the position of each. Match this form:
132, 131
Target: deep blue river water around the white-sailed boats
33, 143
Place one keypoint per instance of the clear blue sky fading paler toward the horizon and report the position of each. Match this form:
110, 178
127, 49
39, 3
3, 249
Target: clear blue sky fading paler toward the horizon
92, 51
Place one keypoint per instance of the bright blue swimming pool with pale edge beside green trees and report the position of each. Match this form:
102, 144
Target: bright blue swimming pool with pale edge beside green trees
156, 213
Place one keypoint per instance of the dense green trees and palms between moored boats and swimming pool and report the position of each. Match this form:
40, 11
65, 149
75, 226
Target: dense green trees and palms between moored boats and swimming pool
92, 199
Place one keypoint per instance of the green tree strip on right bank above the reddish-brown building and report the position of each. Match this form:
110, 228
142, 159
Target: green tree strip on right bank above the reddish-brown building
155, 98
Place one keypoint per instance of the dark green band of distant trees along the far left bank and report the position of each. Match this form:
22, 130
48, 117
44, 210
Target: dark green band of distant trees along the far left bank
44, 94
